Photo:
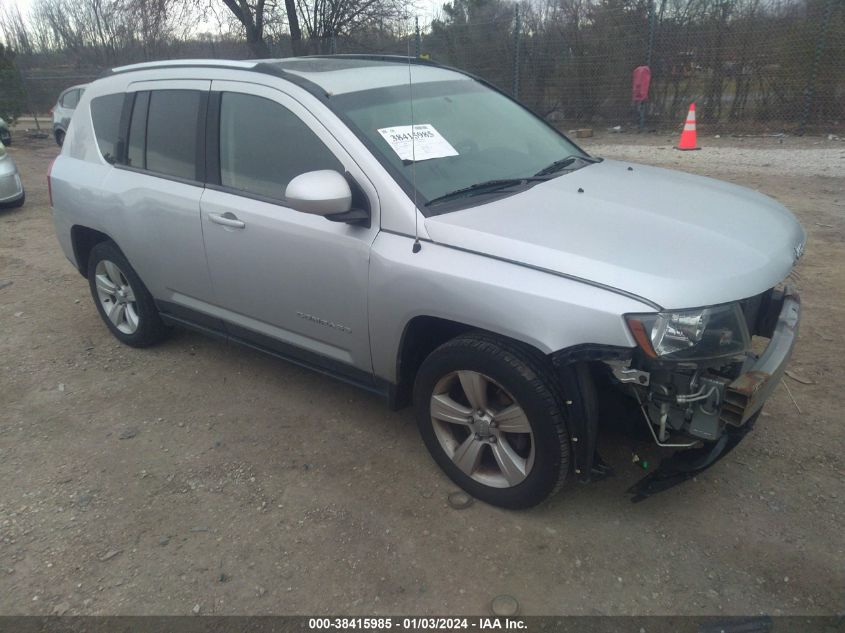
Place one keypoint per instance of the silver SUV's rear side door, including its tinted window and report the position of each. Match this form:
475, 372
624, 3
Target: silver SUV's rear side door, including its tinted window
159, 188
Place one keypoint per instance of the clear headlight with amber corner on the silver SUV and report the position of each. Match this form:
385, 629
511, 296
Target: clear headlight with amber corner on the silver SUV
691, 334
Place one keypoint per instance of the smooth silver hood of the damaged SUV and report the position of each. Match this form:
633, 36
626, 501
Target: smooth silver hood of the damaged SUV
675, 239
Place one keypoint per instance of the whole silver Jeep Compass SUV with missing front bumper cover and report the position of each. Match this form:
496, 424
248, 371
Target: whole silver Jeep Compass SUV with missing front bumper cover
438, 244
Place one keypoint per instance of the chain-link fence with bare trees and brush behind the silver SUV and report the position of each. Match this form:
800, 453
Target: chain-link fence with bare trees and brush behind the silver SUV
749, 65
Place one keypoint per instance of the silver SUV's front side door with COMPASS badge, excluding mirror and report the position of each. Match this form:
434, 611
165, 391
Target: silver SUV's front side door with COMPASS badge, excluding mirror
284, 279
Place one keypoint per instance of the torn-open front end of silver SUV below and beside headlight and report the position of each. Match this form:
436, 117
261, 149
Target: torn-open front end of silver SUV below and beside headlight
704, 407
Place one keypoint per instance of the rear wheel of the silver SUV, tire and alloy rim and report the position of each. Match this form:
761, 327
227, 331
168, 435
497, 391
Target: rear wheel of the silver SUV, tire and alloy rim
123, 301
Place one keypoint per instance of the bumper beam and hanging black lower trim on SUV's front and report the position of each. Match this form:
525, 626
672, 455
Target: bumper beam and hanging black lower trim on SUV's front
742, 400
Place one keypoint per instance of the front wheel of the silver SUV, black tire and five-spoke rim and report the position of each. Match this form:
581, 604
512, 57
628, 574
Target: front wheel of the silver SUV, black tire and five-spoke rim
490, 413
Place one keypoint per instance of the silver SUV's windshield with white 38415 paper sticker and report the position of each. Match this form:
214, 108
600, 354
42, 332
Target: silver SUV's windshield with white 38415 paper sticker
465, 134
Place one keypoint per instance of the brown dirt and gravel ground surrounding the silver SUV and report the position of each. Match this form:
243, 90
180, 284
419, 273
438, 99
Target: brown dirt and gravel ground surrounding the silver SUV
201, 477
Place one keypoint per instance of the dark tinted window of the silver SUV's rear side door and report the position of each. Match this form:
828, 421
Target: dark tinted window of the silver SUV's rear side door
163, 132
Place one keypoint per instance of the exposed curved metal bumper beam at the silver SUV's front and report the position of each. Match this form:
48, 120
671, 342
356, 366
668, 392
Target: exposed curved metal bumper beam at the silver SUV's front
745, 396
